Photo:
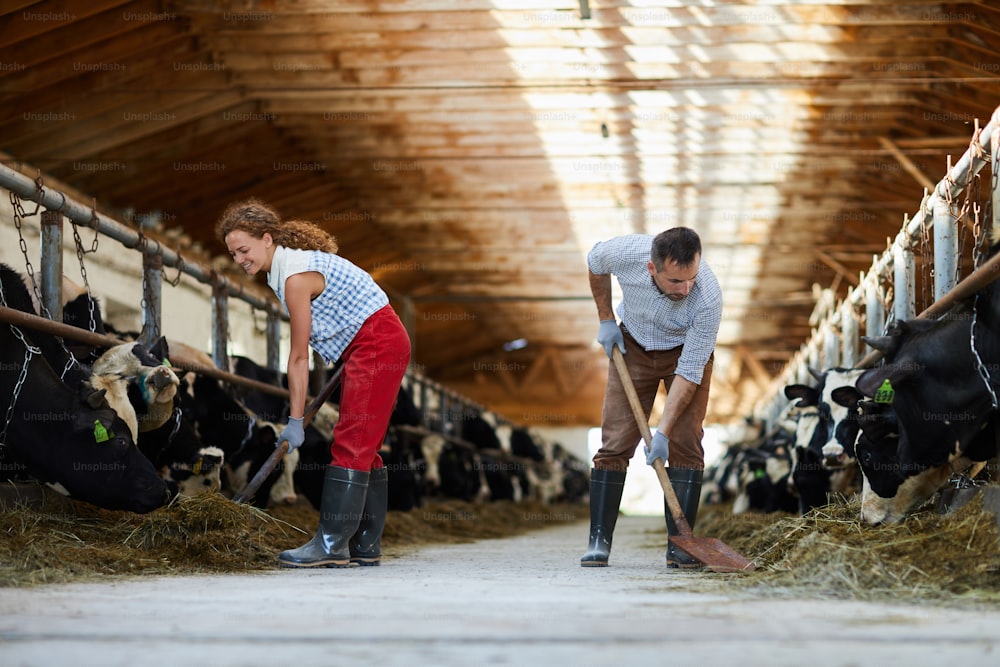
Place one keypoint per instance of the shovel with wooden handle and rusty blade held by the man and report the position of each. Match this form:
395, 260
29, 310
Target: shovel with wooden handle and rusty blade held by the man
713, 552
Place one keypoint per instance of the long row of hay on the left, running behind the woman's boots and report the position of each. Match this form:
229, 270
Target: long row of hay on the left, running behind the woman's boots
65, 540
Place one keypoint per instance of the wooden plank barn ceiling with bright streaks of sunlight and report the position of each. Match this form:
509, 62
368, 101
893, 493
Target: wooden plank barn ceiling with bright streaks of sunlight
469, 152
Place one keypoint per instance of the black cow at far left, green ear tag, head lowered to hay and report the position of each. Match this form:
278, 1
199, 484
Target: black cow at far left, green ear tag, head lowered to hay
66, 435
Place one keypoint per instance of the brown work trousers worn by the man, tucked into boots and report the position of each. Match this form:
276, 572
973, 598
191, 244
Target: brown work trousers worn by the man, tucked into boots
619, 433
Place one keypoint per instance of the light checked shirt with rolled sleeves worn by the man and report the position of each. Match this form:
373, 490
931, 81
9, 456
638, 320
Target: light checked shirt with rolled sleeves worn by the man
653, 320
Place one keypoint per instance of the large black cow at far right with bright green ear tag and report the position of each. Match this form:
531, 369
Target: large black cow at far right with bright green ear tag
932, 411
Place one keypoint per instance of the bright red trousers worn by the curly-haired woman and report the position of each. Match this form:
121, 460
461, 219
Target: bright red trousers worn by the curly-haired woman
374, 365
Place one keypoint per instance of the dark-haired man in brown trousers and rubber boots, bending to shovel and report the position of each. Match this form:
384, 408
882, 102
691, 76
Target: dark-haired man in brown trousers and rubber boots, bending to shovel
670, 313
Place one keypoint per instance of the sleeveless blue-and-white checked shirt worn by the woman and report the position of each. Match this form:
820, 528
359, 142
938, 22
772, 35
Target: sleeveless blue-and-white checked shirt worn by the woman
349, 298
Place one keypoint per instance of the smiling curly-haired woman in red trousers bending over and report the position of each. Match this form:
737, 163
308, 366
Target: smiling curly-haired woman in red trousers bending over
339, 310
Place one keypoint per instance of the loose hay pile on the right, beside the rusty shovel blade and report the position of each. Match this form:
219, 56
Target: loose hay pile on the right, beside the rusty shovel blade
830, 552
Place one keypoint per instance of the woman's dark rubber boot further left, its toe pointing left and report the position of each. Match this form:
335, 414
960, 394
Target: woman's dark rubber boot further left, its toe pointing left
340, 511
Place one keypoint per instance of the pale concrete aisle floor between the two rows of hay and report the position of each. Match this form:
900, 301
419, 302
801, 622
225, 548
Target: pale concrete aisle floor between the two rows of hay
516, 601
